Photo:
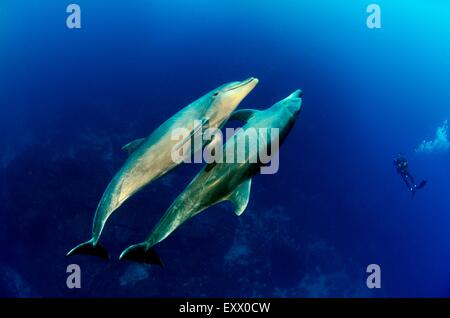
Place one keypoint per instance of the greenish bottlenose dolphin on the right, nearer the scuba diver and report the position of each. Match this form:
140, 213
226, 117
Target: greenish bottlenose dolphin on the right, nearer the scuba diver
218, 182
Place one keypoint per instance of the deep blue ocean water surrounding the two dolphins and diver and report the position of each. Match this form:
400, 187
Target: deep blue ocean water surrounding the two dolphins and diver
70, 99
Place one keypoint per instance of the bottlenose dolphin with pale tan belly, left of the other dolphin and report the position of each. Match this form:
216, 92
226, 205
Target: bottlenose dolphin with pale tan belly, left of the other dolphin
150, 158
